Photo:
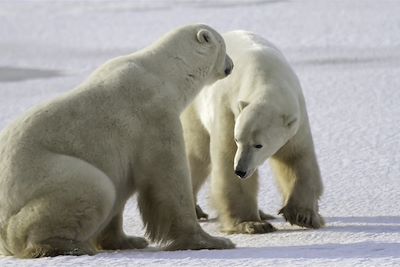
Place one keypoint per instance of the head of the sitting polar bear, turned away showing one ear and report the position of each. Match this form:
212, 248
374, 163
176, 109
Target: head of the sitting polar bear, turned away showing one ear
198, 51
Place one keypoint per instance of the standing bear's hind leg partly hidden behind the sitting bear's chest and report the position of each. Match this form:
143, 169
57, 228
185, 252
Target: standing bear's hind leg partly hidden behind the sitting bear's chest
197, 142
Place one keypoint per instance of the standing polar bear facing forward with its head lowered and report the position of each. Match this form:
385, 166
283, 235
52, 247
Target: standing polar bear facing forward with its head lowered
236, 124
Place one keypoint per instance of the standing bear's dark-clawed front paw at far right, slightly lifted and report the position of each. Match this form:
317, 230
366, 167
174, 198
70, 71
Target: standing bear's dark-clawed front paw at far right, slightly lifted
302, 217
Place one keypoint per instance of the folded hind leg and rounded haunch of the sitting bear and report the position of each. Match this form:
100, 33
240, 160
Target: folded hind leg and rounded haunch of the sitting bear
69, 209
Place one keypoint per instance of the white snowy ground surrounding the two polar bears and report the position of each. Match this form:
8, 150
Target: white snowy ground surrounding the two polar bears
347, 55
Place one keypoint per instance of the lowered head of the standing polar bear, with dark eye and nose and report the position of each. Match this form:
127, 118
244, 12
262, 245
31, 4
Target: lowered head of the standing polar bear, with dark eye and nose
260, 131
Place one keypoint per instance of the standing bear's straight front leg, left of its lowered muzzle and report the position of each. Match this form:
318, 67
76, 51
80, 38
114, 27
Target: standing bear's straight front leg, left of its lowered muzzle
235, 199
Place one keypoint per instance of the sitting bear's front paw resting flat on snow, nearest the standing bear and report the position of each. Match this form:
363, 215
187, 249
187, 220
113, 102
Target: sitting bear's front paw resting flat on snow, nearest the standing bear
200, 241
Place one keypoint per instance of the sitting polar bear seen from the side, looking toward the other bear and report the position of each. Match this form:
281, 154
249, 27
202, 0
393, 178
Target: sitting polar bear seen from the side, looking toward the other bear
67, 167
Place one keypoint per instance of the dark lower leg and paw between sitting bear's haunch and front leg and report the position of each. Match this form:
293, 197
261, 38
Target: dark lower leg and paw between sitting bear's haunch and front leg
113, 237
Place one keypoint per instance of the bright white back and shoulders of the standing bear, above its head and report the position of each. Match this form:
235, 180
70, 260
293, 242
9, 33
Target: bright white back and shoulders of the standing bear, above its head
261, 72
